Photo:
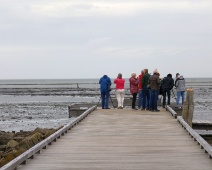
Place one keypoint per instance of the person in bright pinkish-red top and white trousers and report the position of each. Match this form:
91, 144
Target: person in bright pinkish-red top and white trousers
119, 81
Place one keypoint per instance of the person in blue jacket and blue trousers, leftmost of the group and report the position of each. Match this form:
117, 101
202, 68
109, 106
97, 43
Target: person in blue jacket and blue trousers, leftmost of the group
105, 84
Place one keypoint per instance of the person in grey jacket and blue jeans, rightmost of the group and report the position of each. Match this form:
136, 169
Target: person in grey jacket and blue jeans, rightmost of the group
180, 88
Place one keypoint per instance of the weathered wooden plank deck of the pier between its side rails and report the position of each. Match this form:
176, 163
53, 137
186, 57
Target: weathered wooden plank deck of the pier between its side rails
123, 139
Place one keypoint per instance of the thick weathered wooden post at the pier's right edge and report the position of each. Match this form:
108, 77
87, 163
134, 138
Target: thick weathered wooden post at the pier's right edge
188, 107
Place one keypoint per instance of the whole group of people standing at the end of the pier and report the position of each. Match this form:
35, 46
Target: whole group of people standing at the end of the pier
147, 87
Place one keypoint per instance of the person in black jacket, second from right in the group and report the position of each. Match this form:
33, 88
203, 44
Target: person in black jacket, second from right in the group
167, 85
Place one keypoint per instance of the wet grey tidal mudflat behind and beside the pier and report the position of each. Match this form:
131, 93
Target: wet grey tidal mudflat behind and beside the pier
26, 109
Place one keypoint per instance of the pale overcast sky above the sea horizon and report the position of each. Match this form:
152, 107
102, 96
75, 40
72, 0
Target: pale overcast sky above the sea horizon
63, 39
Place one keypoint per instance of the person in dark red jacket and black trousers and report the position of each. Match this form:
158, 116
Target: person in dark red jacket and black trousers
133, 89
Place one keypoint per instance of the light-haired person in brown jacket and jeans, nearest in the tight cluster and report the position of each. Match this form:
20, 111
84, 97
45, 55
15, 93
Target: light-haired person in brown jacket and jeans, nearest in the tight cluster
154, 91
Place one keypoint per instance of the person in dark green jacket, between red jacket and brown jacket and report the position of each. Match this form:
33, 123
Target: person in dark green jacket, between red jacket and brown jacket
145, 90
